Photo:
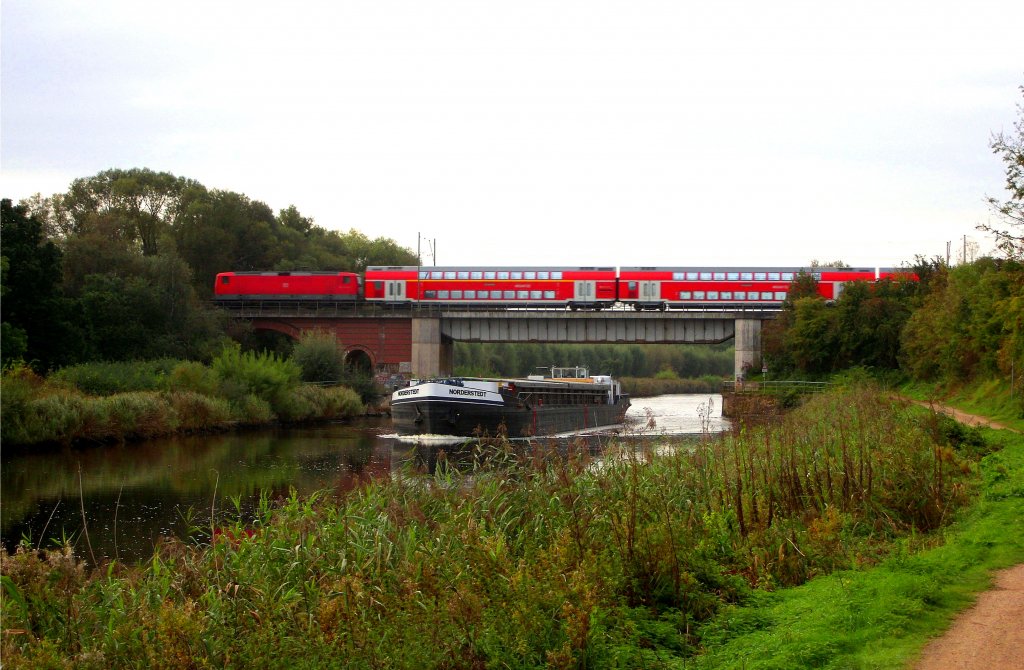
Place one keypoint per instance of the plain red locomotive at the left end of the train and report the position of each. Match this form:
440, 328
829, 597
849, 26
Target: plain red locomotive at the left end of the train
312, 286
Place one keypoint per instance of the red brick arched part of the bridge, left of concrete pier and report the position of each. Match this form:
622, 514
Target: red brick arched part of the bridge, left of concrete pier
386, 343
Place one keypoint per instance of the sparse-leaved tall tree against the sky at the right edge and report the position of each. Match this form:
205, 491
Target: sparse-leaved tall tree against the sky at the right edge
1010, 232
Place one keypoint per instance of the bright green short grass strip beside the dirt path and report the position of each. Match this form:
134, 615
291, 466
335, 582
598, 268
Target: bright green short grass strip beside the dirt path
882, 618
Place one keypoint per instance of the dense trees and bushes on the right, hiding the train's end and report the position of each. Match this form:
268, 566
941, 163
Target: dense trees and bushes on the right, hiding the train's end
957, 324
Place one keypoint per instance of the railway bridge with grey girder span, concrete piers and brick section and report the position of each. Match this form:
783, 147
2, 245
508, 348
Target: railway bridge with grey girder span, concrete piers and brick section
420, 343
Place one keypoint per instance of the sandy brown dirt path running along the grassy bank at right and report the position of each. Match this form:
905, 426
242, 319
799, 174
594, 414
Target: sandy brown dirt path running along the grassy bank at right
991, 635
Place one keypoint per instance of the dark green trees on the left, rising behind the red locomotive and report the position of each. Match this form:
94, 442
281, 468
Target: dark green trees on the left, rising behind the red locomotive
121, 266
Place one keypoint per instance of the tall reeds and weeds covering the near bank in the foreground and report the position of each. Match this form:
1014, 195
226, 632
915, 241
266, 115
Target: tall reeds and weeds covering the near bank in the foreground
527, 561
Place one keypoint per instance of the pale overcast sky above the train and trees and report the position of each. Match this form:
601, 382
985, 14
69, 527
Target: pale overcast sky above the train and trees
539, 133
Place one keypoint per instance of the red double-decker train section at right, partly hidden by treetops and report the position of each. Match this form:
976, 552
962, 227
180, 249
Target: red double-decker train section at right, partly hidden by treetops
662, 288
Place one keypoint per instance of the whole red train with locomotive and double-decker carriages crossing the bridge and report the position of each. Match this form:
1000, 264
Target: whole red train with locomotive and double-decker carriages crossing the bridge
588, 288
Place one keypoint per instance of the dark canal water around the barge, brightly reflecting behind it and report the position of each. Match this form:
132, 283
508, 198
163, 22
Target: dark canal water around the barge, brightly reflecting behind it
132, 496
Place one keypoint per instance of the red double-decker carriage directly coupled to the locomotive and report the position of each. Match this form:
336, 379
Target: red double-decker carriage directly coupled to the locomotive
591, 288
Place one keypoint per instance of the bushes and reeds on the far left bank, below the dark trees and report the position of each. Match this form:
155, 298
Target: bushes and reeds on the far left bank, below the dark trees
138, 401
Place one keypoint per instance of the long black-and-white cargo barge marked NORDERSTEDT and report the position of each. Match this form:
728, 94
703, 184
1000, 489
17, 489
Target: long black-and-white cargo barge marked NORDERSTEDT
567, 401
